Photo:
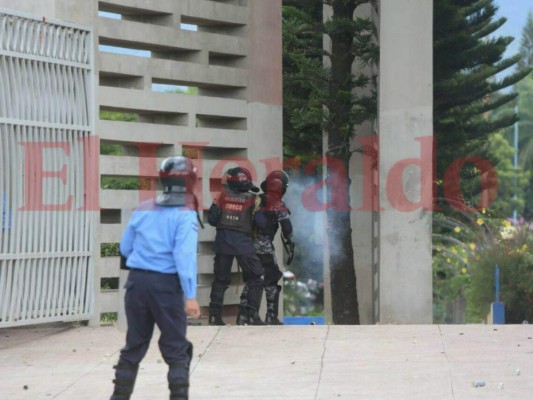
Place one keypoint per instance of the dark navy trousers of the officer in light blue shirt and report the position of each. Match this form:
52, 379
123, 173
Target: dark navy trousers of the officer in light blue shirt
153, 298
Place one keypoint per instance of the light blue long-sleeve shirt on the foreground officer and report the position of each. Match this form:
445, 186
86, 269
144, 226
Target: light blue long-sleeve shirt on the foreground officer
163, 239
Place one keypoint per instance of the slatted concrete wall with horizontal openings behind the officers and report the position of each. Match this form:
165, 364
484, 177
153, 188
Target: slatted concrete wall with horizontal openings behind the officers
233, 59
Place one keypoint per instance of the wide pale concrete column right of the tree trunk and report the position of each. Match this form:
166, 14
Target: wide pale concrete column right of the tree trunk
405, 116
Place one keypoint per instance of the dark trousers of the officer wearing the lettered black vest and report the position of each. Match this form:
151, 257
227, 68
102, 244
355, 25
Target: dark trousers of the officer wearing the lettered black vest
252, 273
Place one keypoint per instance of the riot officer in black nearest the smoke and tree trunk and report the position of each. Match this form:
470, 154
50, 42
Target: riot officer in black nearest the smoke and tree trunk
272, 213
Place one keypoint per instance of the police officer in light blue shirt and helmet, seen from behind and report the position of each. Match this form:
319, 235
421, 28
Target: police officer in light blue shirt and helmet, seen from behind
160, 247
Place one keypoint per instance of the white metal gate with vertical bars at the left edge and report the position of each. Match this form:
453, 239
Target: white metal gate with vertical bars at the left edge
46, 117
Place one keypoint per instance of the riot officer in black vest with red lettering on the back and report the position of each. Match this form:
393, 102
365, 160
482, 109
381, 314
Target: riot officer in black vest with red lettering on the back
232, 215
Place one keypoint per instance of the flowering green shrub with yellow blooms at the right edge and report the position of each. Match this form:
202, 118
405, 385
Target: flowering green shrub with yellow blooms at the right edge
466, 252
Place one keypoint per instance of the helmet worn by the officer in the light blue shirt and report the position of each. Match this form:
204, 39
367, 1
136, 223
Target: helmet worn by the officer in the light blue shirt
177, 175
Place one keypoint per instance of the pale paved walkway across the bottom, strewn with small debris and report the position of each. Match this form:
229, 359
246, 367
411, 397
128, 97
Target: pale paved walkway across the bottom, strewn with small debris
285, 362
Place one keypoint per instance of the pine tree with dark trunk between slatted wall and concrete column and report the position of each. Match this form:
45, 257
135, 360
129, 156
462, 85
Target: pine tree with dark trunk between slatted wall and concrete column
330, 105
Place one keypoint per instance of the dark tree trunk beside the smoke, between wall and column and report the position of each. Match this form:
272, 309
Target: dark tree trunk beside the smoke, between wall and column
339, 128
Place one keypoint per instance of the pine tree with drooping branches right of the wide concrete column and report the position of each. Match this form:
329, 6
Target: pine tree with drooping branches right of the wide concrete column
467, 58
